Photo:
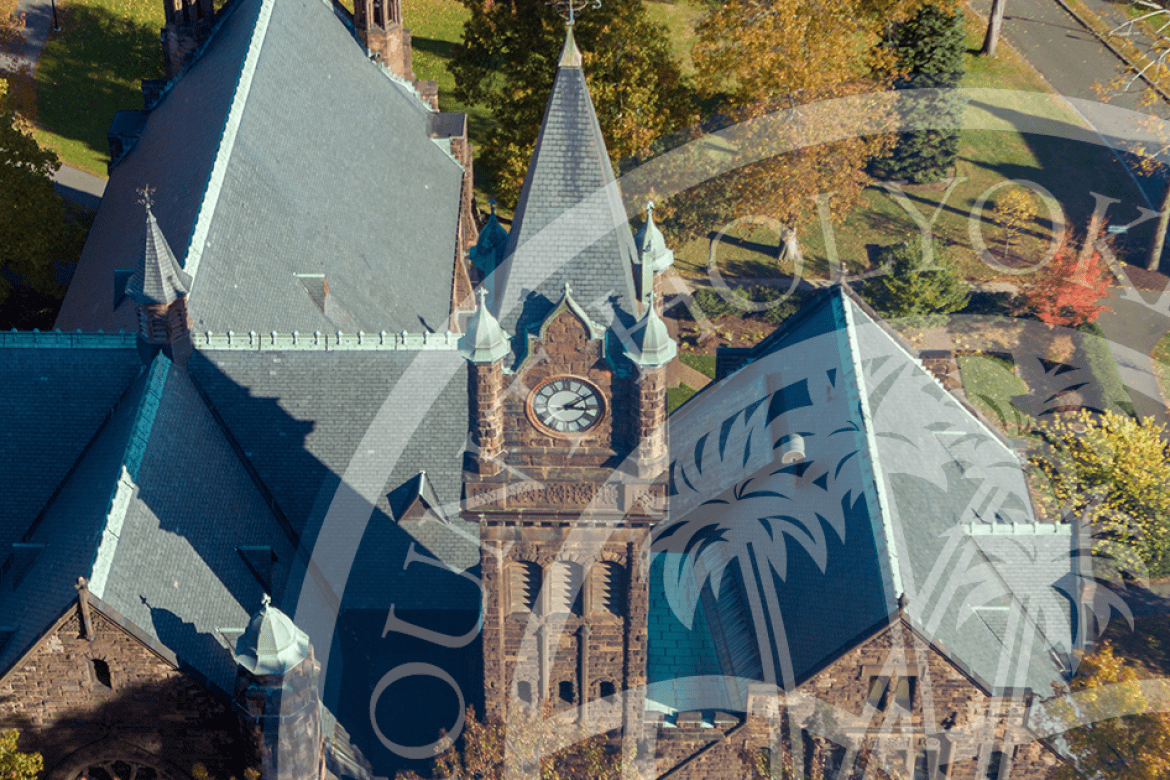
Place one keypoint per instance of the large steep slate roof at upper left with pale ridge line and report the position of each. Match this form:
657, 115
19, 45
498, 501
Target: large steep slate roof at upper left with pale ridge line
249, 198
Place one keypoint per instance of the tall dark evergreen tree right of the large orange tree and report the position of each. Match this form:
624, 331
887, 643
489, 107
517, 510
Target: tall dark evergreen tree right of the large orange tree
930, 50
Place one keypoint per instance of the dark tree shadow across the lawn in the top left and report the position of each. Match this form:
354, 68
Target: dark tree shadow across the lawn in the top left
92, 71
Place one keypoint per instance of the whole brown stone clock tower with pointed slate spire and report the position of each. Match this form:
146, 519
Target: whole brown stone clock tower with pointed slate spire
566, 471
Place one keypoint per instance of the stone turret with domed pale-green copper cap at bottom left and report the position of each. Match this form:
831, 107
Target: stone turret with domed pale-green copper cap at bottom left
277, 695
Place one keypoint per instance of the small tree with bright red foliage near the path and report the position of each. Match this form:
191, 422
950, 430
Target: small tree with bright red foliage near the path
1069, 292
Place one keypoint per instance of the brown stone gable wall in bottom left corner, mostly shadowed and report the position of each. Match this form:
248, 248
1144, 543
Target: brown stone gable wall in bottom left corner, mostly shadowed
81, 702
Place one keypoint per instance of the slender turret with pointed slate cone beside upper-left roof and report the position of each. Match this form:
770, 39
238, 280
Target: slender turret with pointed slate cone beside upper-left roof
160, 286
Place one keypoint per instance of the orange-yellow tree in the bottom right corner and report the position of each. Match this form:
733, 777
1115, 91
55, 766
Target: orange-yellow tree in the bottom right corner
1111, 733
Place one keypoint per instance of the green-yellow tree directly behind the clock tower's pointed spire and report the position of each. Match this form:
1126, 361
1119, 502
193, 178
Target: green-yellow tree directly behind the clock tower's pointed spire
508, 61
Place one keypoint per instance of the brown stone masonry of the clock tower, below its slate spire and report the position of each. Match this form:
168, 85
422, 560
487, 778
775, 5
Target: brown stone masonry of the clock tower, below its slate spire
572, 524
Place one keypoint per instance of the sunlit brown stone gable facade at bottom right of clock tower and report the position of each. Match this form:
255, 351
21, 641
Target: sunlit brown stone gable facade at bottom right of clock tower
949, 729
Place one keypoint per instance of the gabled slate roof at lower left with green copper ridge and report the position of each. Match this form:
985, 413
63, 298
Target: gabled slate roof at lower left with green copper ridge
152, 516
